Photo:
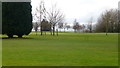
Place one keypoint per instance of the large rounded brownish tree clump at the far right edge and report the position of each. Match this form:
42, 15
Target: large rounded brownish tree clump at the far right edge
108, 21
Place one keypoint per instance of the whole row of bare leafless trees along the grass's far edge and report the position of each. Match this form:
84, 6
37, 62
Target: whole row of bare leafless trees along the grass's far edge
107, 22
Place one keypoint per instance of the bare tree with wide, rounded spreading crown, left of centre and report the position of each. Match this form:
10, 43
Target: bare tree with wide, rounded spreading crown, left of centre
55, 16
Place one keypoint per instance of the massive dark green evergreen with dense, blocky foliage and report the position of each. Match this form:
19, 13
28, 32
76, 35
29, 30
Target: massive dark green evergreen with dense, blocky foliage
16, 18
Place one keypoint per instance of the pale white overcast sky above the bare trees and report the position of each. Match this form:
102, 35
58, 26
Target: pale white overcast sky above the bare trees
81, 10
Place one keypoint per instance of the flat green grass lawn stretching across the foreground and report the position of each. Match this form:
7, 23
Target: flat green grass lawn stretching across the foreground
67, 49
